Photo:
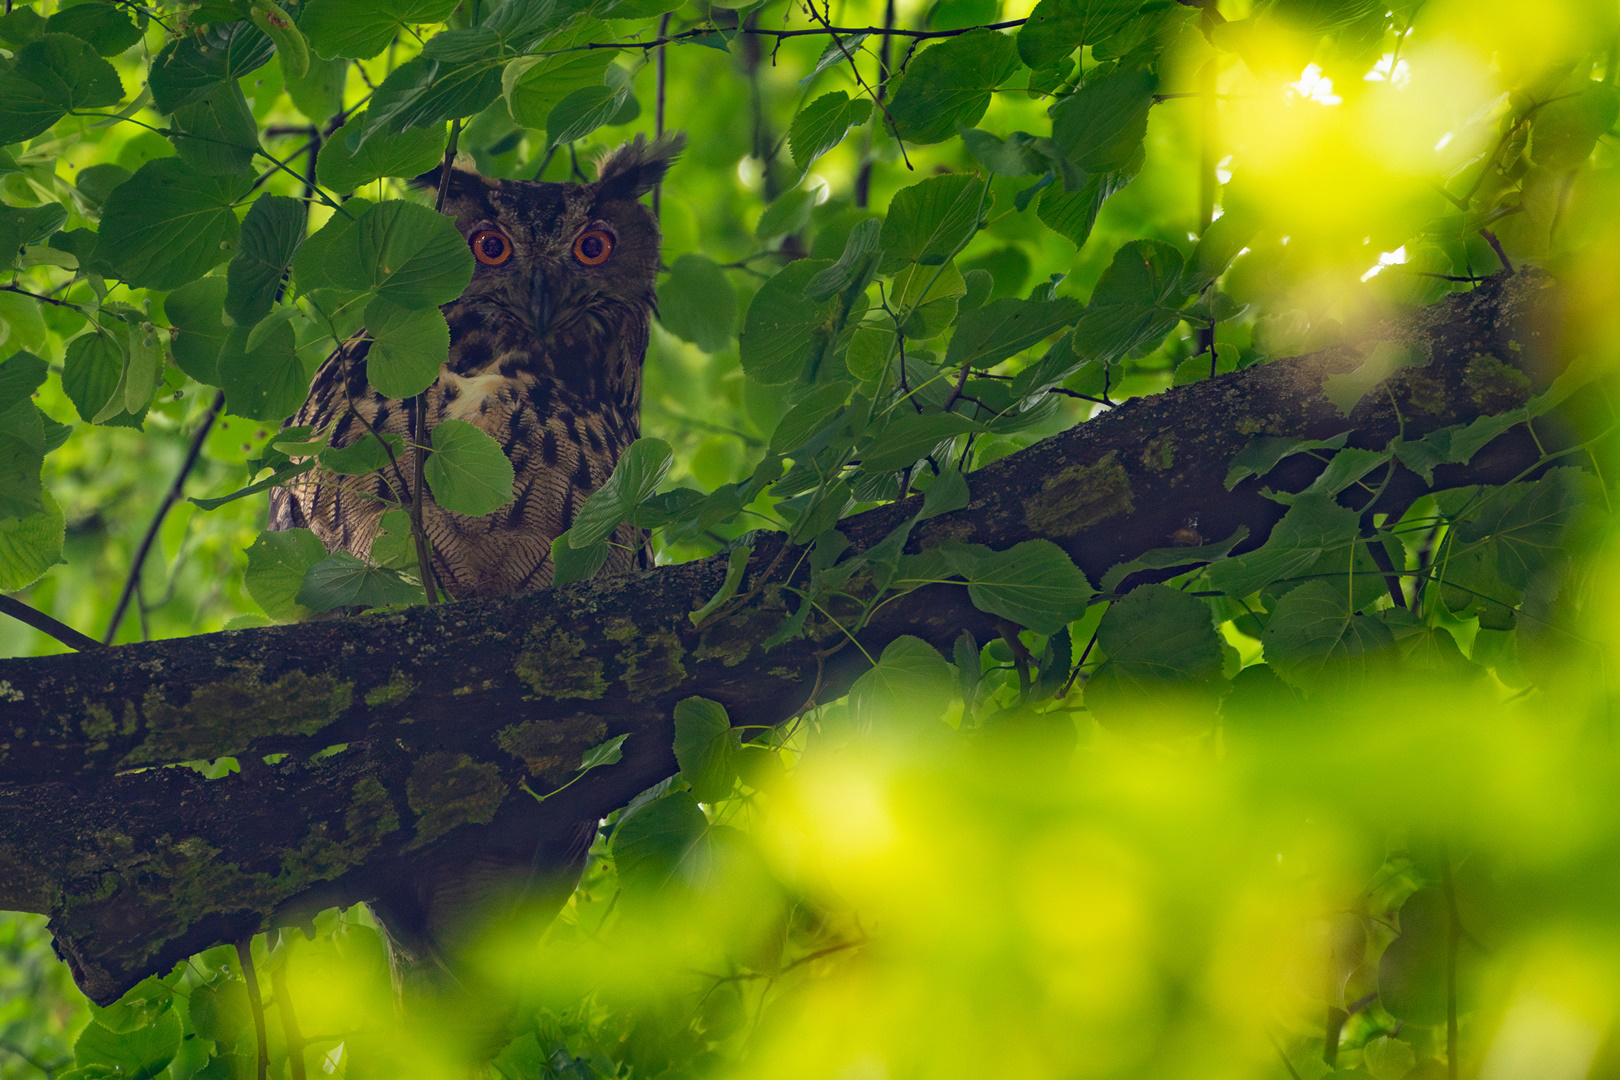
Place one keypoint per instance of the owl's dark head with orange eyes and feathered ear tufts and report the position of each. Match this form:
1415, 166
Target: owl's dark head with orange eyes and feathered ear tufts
571, 265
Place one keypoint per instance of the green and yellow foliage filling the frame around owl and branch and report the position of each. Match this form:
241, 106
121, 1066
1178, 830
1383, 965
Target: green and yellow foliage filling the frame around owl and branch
1271, 819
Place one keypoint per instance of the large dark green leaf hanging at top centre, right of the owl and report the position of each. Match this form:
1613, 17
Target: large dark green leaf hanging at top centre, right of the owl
949, 87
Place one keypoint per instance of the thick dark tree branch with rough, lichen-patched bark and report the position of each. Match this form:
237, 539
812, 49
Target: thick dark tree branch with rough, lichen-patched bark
403, 733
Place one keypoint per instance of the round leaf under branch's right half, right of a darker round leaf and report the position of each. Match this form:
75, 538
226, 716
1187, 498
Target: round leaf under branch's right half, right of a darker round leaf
1315, 639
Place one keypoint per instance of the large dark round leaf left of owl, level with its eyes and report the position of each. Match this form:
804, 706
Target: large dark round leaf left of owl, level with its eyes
171, 224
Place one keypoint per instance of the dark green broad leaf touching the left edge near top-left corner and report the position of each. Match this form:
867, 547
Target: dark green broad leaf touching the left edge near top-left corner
51, 77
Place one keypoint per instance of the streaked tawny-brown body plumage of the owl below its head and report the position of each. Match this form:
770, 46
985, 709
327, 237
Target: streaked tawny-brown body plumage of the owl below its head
561, 419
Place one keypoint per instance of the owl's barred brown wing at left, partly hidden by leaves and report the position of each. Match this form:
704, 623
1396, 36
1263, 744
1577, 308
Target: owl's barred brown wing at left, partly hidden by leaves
343, 511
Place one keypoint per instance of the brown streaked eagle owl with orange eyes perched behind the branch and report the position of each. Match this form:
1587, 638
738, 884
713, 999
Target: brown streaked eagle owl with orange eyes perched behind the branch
547, 349
